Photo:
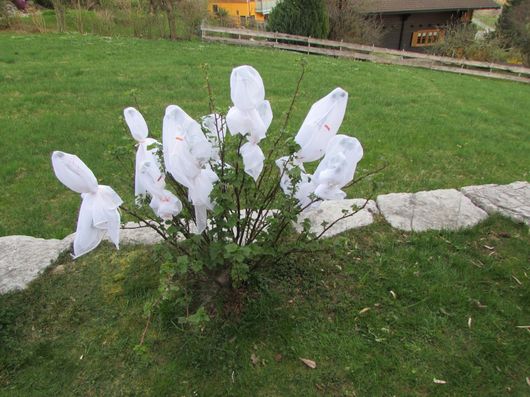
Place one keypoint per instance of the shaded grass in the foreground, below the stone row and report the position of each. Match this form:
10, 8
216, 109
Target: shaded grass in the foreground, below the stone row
459, 298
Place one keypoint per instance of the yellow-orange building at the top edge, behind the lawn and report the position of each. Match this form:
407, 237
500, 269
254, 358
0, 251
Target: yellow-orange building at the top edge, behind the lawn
243, 10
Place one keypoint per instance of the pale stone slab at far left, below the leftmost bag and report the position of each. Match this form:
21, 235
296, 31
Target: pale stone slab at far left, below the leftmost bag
23, 258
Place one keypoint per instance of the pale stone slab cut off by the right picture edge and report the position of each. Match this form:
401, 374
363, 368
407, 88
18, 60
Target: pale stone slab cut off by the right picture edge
511, 200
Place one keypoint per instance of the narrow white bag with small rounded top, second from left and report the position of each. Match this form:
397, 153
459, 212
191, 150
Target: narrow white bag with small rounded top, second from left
138, 127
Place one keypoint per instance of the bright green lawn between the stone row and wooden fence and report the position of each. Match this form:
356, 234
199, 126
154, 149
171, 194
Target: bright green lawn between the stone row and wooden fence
67, 92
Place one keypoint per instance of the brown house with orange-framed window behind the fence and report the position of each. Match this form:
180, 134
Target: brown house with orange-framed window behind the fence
412, 25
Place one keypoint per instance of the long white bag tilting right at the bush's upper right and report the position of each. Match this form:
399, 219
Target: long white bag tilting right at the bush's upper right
320, 125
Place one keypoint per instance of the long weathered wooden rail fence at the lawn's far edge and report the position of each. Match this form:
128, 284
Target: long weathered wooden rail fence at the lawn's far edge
311, 45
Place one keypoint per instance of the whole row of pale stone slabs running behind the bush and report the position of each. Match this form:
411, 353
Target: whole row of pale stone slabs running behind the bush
23, 258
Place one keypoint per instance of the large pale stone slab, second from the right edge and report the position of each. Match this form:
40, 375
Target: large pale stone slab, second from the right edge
444, 209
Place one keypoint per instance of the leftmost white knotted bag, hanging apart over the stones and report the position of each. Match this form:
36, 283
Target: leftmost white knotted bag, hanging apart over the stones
99, 207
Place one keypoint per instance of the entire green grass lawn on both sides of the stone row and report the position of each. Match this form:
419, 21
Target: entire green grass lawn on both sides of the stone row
382, 312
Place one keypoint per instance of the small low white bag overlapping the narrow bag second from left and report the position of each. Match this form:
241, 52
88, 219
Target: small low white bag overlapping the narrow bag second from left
164, 203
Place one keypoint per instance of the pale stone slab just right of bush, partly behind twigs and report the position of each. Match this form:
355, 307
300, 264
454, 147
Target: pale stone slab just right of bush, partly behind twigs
331, 210
